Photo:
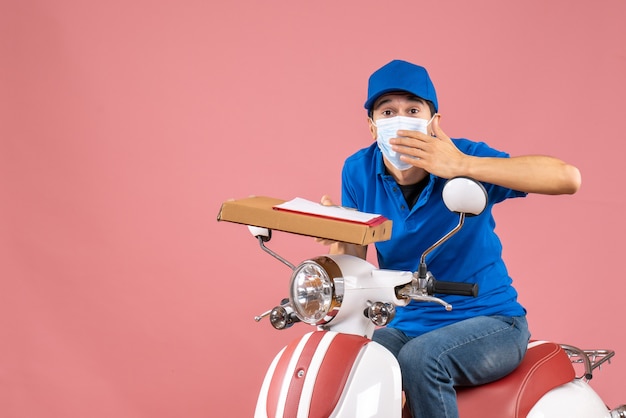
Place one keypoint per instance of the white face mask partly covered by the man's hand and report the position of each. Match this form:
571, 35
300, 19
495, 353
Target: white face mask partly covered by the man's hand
388, 128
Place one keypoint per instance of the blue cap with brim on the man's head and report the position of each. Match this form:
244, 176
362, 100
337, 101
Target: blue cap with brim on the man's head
400, 75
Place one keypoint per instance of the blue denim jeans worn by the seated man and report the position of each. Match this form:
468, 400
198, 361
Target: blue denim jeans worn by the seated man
471, 352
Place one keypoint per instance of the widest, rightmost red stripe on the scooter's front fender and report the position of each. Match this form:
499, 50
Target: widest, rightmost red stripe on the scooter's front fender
334, 372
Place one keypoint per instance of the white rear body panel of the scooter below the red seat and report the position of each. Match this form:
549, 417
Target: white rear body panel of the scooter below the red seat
573, 400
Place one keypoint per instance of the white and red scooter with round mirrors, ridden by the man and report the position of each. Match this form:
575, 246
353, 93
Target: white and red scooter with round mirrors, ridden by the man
336, 370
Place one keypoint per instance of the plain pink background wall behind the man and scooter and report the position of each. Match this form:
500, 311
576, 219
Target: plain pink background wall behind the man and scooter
125, 124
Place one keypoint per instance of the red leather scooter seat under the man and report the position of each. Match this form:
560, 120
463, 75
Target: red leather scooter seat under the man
544, 367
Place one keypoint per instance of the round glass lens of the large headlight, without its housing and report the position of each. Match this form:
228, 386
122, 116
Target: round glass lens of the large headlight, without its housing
311, 292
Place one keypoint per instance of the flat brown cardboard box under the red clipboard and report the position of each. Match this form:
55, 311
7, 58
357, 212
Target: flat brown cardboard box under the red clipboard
259, 211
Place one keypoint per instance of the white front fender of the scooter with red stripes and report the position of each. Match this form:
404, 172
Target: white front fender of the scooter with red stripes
328, 374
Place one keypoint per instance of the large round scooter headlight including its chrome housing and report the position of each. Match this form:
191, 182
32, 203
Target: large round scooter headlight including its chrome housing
316, 290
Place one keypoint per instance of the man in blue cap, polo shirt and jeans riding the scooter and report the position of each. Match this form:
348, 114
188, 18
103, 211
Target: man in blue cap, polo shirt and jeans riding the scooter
401, 176
